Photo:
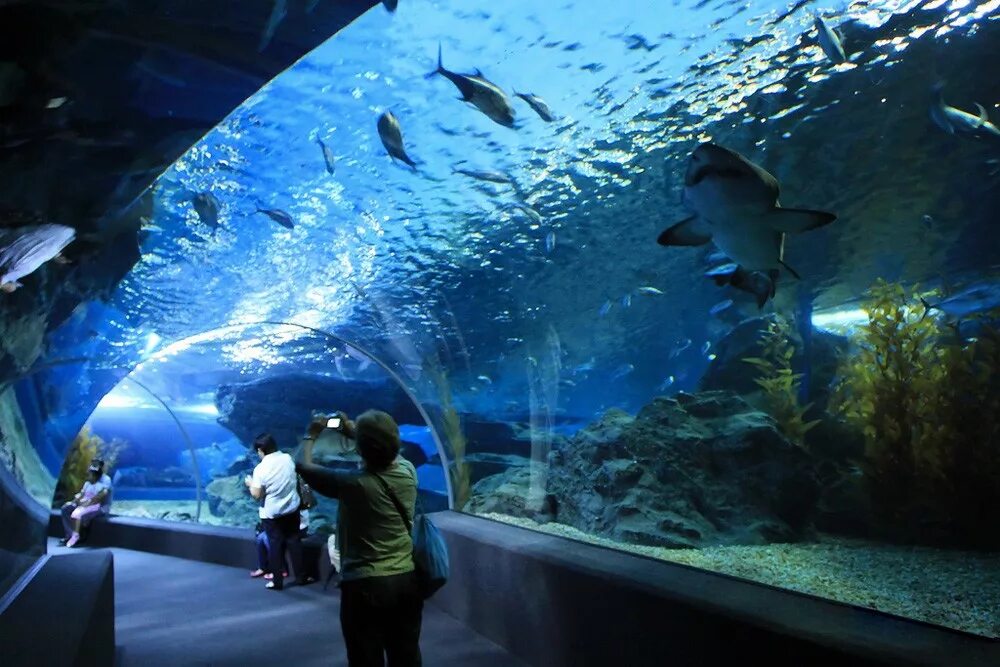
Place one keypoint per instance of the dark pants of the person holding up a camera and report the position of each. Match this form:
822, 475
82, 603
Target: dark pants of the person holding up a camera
380, 618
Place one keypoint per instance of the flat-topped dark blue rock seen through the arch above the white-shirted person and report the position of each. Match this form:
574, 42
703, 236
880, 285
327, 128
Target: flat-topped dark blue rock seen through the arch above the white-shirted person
283, 405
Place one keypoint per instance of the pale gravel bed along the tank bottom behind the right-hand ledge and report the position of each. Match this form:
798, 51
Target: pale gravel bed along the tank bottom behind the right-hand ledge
955, 589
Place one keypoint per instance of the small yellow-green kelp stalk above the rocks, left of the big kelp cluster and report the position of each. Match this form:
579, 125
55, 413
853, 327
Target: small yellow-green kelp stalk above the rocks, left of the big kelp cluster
779, 384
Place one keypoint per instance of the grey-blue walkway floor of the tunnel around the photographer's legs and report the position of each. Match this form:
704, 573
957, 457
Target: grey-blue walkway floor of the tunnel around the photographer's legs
172, 611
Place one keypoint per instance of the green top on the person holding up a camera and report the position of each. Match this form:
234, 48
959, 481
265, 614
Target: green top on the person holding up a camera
371, 536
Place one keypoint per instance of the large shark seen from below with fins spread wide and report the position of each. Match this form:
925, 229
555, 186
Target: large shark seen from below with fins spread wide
734, 204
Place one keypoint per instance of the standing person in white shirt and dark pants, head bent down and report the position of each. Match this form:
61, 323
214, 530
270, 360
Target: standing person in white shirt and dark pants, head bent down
274, 482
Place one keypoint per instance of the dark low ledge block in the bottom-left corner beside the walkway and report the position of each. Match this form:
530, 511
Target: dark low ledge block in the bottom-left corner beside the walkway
64, 615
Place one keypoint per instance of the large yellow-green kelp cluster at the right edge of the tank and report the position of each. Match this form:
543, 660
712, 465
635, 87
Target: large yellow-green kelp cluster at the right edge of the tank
928, 403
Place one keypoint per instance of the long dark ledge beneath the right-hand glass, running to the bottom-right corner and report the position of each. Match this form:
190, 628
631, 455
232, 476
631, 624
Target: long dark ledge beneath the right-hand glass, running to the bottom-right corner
553, 601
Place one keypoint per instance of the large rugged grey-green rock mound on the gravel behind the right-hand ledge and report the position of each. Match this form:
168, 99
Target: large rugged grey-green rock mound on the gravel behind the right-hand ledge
691, 471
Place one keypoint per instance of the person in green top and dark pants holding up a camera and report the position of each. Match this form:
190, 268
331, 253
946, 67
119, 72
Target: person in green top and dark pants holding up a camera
380, 604
